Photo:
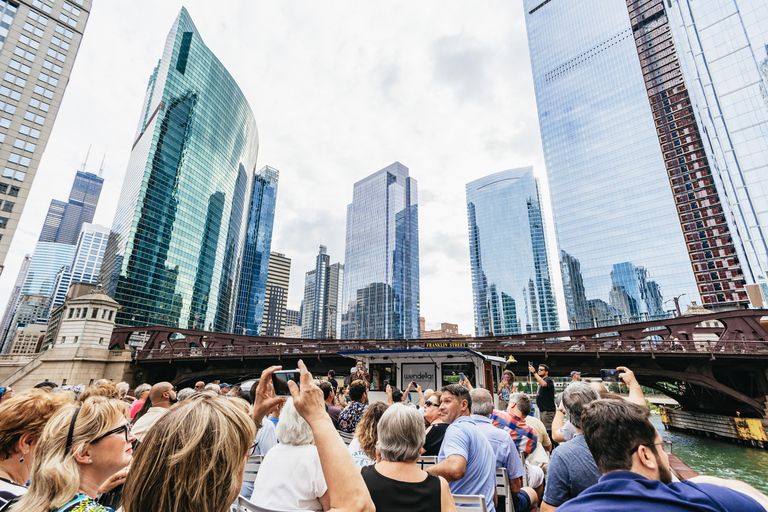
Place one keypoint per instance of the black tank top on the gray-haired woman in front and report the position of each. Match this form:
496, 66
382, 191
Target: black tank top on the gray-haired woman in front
394, 496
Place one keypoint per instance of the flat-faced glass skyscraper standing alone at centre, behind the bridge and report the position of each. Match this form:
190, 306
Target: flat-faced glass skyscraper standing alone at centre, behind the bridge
381, 267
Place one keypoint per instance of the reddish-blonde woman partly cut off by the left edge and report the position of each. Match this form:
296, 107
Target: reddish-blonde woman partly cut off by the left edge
22, 419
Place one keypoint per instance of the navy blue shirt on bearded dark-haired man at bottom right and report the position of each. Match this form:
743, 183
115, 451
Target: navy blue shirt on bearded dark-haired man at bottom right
623, 490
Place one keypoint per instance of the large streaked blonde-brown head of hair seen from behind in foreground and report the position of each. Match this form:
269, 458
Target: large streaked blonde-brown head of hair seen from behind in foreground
190, 459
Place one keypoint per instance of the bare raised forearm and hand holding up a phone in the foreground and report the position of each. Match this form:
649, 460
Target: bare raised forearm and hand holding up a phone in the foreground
346, 489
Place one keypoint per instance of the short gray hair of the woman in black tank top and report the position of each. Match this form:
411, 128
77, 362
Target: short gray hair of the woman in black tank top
401, 433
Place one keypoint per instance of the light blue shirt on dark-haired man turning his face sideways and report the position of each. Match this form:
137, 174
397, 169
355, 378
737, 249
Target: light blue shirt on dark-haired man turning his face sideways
464, 439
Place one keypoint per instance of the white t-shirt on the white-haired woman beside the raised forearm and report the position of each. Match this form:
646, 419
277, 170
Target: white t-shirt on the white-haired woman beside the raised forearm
290, 479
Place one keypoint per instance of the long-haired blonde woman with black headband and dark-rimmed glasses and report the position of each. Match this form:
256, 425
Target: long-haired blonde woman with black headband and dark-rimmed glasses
80, 449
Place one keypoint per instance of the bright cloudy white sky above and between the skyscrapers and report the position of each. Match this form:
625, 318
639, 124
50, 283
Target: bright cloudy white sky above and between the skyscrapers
339, 90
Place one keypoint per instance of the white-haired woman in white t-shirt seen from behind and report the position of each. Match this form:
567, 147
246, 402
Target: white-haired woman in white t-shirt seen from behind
290, 476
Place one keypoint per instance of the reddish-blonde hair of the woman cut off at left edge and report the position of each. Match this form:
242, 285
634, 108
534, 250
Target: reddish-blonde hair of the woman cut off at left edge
27, 412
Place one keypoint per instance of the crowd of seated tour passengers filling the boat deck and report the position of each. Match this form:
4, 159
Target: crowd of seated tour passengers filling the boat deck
99, 449
